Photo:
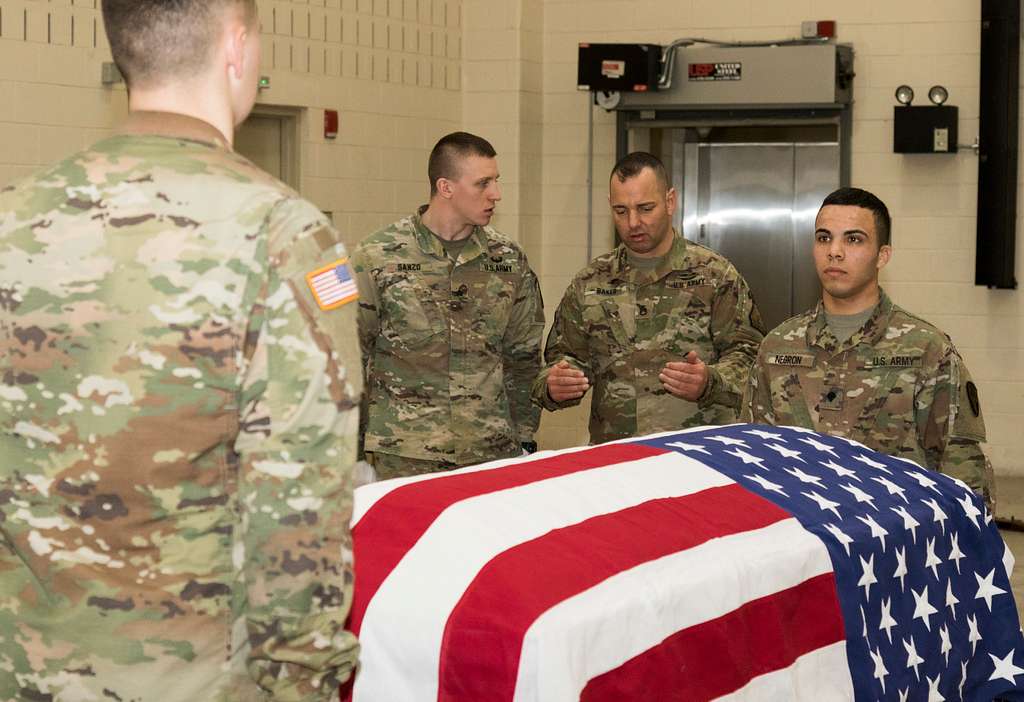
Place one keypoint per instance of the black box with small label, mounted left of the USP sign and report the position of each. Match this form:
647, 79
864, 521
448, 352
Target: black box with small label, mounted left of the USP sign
626, 68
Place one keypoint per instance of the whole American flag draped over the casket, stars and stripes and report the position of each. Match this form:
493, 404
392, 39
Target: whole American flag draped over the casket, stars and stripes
742, 562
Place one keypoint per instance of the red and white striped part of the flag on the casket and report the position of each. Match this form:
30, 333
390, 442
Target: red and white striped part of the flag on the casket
615, 573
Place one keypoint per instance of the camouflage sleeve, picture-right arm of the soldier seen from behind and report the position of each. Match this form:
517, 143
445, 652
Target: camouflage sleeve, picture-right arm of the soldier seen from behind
296, 450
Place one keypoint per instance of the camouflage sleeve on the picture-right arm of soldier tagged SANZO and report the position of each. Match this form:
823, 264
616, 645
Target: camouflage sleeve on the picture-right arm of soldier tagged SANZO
522, 355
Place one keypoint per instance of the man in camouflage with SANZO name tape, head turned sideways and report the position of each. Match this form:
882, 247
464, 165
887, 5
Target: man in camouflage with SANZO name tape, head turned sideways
451, 320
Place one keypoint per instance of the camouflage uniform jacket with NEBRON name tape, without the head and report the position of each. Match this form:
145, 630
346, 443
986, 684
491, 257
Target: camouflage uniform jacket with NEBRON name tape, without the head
898, 386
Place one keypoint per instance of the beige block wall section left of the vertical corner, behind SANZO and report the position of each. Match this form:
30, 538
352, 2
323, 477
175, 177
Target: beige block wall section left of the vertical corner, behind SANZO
392, 68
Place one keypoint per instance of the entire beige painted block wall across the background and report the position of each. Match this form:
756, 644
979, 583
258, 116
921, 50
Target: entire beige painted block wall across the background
404, 72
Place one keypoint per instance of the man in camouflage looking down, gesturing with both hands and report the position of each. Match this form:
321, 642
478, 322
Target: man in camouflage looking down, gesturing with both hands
665, 330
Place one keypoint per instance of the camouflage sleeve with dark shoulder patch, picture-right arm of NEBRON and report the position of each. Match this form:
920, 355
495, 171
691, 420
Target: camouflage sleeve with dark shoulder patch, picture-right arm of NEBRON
952, 426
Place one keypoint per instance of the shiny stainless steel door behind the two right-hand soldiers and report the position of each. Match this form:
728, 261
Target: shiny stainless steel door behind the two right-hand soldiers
755, 204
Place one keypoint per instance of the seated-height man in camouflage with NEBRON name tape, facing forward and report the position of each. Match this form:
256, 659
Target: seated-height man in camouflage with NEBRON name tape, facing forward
862, 368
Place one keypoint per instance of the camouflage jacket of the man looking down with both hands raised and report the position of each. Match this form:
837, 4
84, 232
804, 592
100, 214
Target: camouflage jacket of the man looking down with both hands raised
621, 326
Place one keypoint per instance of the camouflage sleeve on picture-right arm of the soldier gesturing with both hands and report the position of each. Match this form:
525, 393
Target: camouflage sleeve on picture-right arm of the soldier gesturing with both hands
737, 332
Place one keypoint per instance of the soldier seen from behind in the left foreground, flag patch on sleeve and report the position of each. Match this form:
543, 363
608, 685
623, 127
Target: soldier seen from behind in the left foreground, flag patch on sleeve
179, 411
